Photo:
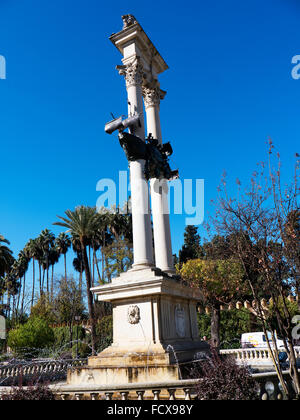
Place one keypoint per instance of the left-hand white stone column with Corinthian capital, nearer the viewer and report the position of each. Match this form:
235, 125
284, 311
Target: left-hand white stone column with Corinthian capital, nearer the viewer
141, 217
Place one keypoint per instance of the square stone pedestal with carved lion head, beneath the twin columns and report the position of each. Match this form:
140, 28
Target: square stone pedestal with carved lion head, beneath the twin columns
155, 331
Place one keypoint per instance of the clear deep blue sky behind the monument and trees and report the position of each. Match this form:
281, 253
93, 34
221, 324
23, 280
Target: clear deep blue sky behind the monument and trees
229, 88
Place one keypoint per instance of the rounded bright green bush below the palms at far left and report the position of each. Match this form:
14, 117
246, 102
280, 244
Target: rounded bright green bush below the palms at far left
35, 334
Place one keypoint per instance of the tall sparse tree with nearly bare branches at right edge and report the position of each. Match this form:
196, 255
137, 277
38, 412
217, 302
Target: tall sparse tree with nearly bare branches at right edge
263, 224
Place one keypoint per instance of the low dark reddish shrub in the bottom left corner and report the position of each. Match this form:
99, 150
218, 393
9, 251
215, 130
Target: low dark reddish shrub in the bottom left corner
38, 392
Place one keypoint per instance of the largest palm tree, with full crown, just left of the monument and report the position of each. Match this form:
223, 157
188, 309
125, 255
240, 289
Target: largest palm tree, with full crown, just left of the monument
82, 223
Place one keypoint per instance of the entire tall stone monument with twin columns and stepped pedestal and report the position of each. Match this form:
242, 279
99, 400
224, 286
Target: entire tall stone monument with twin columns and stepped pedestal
154, 314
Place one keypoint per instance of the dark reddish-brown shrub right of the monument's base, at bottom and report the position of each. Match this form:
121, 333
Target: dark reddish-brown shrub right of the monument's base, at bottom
221, 379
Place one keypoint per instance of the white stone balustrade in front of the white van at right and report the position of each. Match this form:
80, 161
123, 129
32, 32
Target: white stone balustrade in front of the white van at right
255, 356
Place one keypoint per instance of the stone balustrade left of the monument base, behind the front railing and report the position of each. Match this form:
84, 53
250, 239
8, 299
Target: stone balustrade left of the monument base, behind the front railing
51, 370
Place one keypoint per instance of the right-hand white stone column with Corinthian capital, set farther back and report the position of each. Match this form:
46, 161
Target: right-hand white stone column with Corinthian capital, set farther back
159, 188
